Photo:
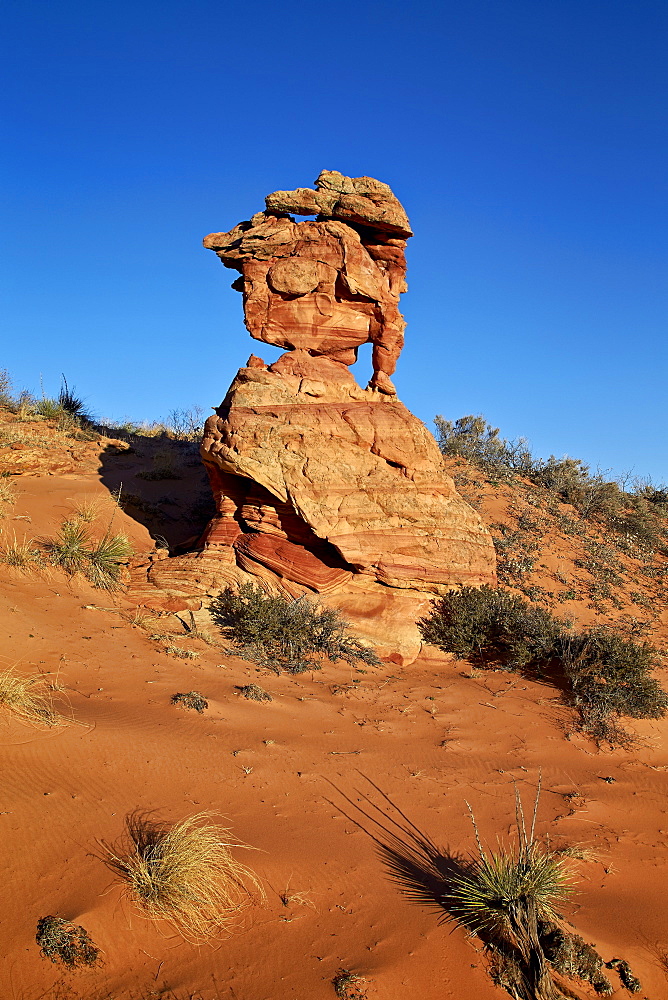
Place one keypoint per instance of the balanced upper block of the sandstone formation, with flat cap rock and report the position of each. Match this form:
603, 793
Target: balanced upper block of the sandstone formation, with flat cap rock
328, 286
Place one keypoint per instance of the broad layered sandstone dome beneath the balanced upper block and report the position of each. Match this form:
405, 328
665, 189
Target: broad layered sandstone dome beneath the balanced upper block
321, 481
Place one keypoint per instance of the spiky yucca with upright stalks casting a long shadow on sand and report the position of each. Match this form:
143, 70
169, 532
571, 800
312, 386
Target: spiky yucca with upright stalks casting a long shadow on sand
504, 894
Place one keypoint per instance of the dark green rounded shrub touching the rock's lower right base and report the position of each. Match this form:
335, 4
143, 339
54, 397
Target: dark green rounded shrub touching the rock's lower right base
485, 624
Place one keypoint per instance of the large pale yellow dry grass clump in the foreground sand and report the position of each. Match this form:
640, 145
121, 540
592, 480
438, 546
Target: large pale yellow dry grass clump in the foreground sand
184, 874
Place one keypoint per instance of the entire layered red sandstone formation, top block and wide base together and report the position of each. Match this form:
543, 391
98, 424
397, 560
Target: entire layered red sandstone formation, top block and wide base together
321, 486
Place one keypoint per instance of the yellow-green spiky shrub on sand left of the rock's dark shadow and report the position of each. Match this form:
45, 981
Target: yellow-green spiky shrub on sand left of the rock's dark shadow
100, 560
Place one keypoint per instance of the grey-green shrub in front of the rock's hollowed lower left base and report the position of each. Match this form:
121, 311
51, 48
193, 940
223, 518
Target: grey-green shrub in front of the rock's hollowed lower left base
290, 635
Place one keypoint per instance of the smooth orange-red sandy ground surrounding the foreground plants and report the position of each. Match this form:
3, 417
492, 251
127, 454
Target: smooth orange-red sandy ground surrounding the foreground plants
338, 764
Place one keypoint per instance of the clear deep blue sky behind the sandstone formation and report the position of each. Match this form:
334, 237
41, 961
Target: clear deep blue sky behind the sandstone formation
526, 138
